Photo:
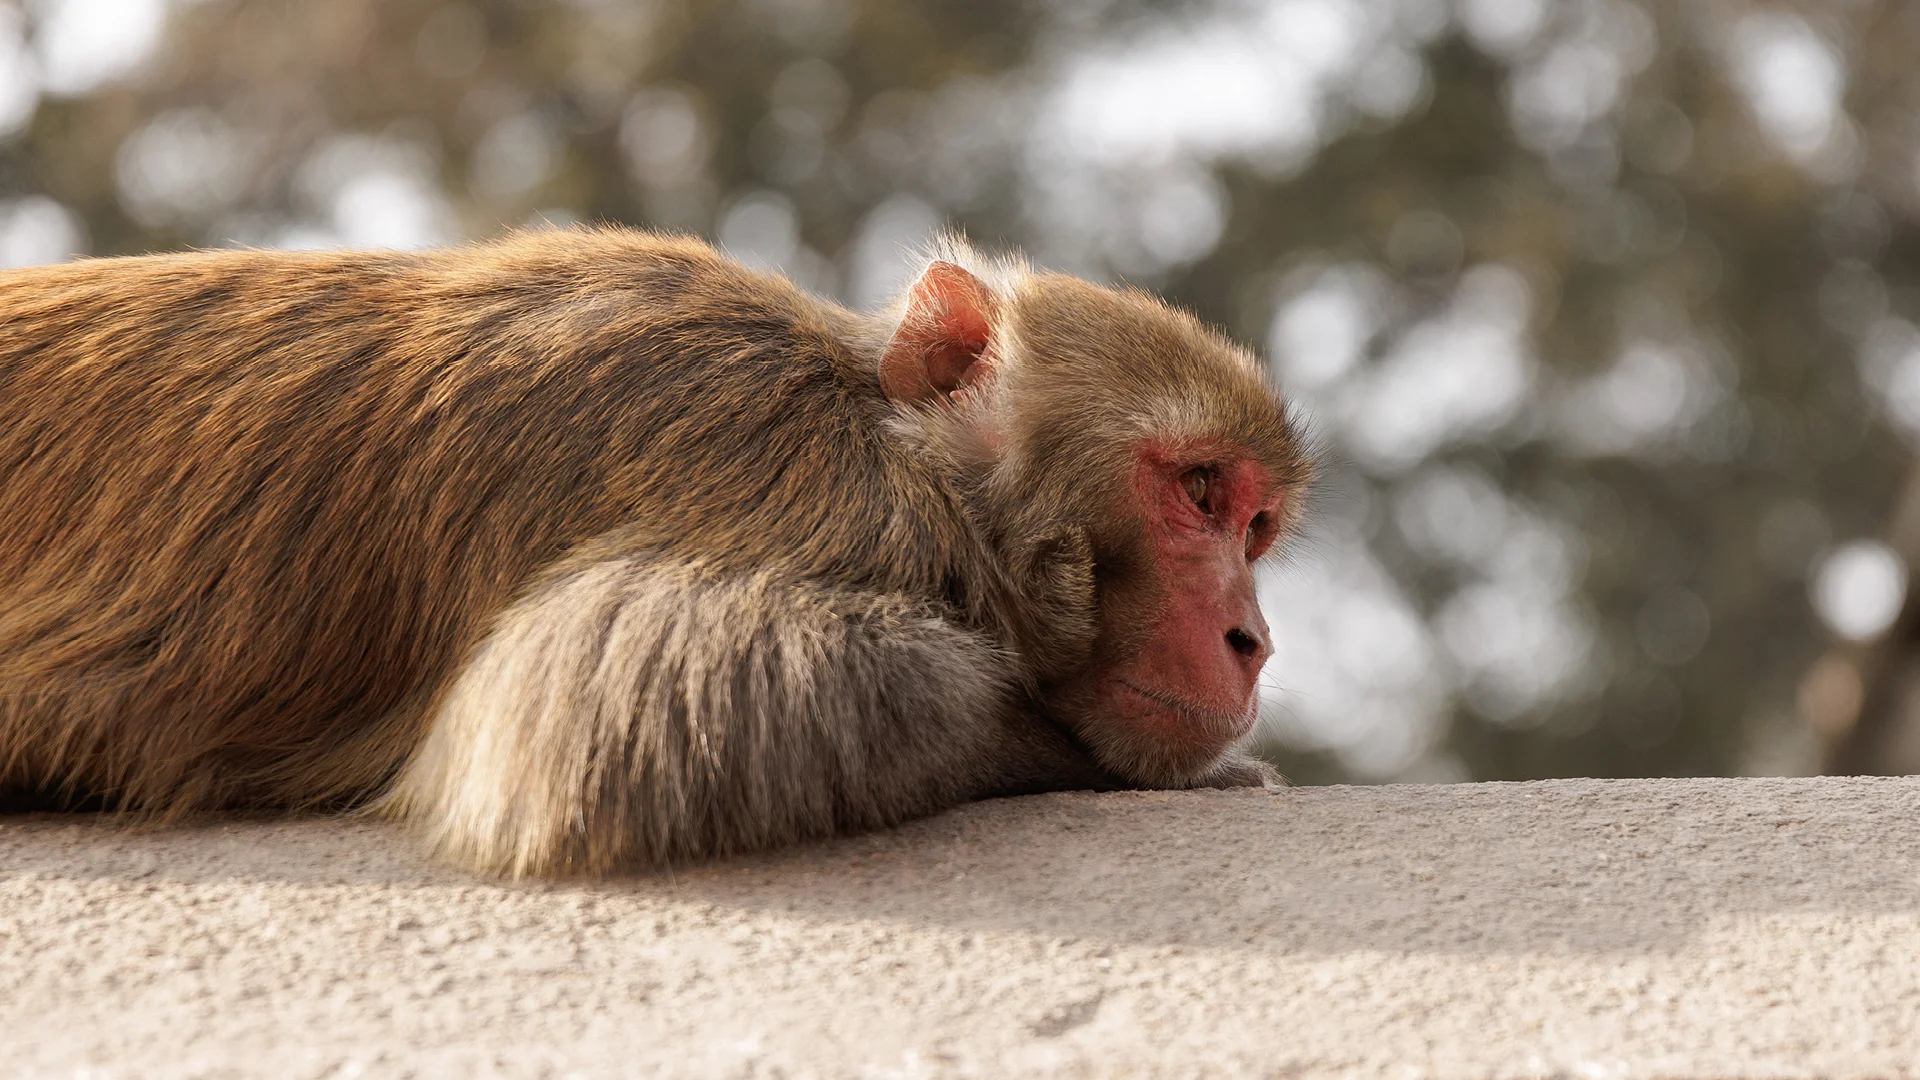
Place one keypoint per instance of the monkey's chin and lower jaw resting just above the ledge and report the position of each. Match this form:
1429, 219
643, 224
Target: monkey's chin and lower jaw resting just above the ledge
1161, 739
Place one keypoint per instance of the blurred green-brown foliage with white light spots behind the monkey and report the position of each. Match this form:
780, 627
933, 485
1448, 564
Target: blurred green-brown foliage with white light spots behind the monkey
1602, 312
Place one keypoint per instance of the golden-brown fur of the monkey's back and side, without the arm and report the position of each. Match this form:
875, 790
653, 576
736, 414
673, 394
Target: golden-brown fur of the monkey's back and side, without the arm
260, 504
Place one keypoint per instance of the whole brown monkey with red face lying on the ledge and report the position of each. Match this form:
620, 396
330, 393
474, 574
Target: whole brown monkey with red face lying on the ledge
594, 551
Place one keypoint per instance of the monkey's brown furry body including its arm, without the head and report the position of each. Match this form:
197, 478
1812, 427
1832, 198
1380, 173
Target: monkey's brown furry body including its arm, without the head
581, 549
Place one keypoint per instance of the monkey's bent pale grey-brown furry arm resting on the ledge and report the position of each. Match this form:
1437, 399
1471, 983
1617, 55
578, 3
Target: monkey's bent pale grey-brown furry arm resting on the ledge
638, 712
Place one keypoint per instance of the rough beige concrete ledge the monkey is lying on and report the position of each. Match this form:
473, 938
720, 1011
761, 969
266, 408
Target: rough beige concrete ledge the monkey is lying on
1579, 927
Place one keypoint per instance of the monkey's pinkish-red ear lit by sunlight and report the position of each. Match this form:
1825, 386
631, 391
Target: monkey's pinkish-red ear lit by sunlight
944, 333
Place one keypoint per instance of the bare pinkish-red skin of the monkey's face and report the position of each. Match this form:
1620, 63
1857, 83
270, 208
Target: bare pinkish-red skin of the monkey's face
1191, 687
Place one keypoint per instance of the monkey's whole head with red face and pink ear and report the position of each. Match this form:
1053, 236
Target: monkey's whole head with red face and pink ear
1130, 468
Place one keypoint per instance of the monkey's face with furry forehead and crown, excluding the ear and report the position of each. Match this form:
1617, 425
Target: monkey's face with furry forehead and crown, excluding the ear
1166, 445
